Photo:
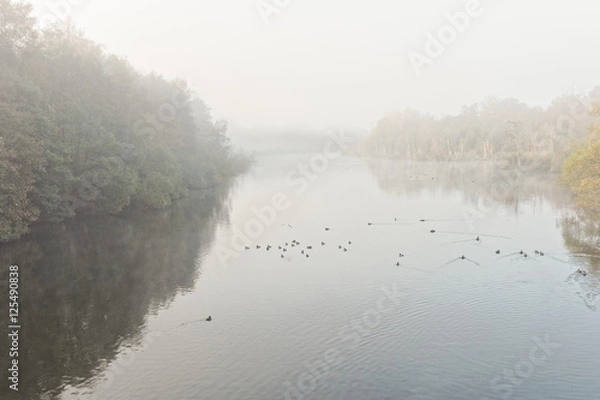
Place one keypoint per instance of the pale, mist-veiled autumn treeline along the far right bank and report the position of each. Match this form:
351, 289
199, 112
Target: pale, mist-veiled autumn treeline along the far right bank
506, 130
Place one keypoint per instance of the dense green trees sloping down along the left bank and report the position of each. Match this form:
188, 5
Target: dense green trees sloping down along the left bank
82, 132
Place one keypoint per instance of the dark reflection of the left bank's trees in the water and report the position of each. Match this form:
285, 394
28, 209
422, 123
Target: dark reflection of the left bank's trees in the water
88, 286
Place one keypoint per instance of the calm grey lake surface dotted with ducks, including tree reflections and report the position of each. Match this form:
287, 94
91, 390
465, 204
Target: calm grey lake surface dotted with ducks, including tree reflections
115, 308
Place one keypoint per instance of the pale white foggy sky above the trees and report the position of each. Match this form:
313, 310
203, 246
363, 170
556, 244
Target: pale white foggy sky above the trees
325, 64
